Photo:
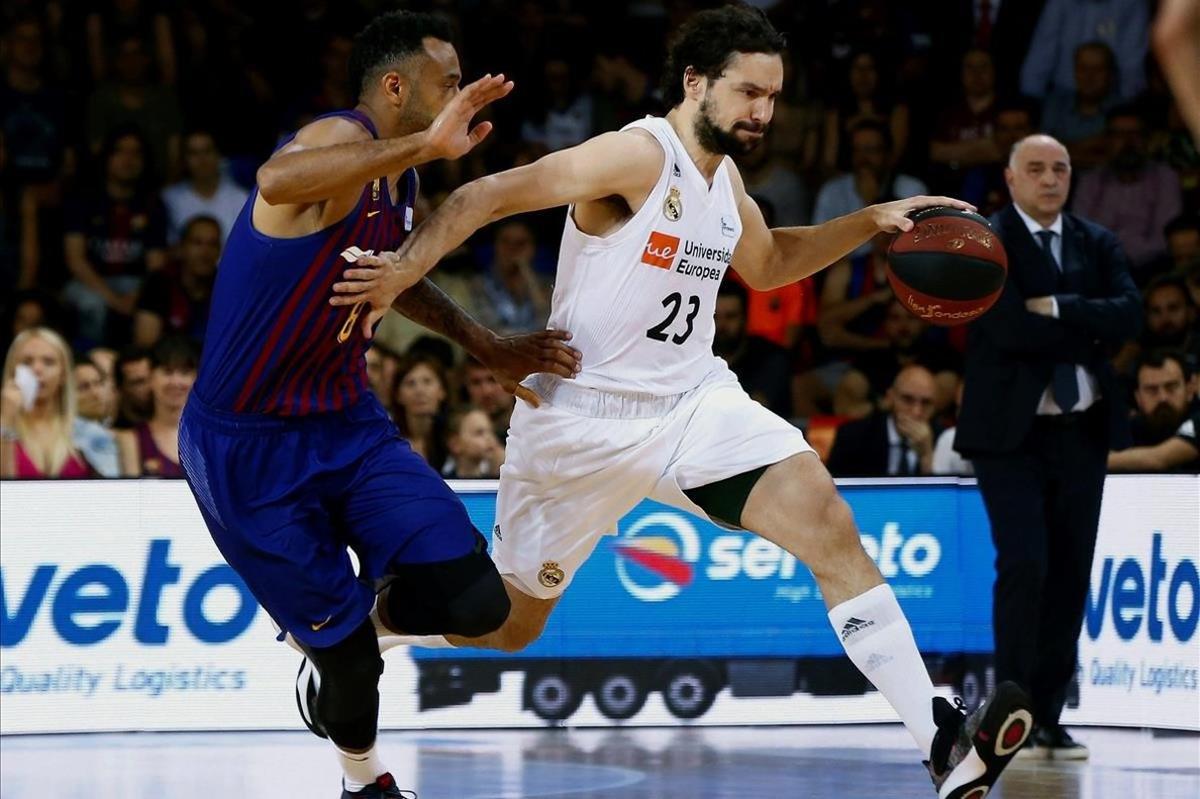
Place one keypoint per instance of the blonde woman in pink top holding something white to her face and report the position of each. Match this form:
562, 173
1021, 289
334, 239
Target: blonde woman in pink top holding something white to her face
41, 436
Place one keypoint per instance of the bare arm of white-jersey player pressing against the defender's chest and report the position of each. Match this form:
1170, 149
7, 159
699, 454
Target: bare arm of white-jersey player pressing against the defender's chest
620, 165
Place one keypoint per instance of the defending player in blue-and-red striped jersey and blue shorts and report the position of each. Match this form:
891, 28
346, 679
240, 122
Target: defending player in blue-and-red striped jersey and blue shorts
290, 456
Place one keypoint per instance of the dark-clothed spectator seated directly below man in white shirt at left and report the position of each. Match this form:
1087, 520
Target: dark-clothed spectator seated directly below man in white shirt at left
176, 301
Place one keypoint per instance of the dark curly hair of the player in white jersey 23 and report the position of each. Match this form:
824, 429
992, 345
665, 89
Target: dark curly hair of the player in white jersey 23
709, 41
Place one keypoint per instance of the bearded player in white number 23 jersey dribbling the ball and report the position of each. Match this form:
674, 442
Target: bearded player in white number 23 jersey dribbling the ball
657, 214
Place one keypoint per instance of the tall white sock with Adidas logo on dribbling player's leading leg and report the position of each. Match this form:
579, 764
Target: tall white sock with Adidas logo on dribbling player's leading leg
878, 639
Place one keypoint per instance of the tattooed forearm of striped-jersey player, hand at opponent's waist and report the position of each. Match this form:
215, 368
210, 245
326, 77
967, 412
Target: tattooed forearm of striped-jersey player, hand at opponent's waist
511, 358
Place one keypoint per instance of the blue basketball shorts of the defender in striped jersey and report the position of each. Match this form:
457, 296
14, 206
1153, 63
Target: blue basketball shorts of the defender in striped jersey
289, 498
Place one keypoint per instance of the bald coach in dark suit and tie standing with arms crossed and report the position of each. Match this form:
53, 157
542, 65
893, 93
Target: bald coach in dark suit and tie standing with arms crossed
1041, 411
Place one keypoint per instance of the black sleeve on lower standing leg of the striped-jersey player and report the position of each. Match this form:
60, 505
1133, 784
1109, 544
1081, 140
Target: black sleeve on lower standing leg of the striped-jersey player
349, 701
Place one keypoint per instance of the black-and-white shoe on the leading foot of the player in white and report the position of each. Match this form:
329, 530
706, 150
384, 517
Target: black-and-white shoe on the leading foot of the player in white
970, 752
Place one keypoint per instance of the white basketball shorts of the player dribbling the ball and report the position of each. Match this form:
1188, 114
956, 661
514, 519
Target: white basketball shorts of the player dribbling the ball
585, 459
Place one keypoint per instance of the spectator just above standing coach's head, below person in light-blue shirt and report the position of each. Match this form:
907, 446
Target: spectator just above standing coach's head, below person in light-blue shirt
1077, 117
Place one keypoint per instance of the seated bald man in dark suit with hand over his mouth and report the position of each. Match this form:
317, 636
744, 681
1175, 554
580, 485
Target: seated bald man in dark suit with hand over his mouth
897, 441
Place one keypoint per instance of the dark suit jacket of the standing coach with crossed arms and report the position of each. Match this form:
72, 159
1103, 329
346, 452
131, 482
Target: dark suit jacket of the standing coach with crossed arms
1012, 353
